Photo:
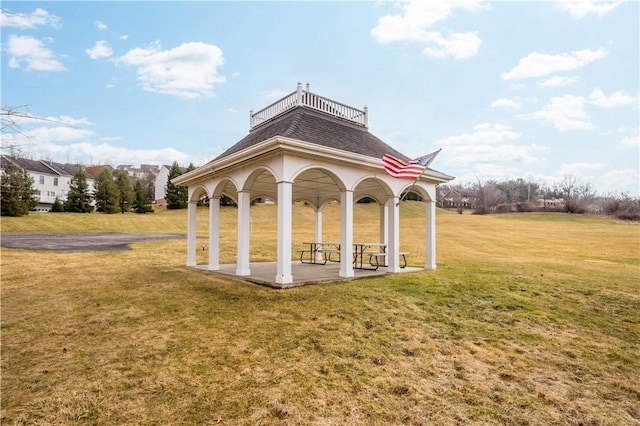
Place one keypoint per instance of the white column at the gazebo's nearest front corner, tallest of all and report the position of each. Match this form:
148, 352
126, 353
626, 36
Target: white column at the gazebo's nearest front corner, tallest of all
285, 200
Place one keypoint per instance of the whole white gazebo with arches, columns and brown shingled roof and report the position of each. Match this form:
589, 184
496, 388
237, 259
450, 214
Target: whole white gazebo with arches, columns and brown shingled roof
305, 147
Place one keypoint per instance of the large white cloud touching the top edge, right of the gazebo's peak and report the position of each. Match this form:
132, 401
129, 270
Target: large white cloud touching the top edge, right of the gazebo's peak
416, 19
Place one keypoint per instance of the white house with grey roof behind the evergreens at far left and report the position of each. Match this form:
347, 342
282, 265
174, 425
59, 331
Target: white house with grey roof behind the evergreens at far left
51, 180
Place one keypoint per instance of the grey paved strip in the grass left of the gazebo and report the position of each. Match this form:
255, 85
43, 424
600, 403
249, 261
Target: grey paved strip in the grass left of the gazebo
102, 241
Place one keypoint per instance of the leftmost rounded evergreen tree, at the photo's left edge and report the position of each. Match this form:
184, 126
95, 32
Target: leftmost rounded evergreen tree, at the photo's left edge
18, 194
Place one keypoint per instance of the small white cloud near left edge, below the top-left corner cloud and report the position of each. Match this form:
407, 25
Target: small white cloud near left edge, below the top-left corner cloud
33, 52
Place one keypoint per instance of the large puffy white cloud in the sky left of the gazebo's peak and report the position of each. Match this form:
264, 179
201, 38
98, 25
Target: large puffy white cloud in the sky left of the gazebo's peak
187, 71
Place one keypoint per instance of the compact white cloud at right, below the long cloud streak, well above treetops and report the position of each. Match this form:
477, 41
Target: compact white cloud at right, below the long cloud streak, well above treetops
564, 113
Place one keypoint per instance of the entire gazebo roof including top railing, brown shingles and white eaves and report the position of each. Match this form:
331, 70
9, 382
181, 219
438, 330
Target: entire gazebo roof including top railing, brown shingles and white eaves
305, 122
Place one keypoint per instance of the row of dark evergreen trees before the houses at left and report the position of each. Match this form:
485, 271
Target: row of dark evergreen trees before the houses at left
113, 192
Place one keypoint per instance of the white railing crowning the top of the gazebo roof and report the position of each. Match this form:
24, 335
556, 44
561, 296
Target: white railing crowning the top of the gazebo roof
310, 100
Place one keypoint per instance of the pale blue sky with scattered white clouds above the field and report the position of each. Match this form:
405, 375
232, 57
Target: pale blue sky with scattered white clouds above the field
538, 90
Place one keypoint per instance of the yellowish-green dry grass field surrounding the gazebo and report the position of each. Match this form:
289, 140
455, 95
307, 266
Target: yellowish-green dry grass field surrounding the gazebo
530, 319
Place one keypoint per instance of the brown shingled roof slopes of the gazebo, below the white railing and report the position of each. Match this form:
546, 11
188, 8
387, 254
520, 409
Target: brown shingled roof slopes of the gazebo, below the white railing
305, 124
